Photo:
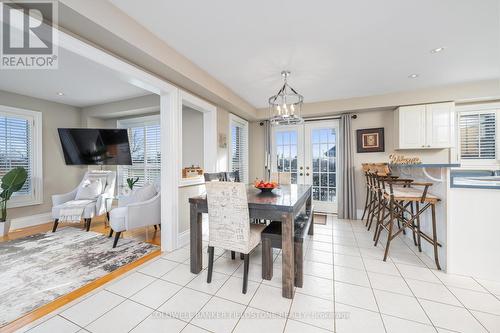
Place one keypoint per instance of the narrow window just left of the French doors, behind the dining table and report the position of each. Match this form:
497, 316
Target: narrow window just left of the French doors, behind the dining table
238, 148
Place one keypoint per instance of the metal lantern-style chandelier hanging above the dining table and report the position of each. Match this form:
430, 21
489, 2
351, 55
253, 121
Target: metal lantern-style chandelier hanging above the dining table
285, 107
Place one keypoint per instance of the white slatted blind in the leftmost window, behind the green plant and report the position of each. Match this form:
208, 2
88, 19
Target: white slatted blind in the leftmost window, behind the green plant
16, 137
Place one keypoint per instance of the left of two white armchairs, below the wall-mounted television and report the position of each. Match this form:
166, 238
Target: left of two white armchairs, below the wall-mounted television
102, 204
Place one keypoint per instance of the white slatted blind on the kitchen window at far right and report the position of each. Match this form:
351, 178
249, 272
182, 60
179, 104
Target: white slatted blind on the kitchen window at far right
478, 135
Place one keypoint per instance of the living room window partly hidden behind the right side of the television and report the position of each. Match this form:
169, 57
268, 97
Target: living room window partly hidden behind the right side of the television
144, 138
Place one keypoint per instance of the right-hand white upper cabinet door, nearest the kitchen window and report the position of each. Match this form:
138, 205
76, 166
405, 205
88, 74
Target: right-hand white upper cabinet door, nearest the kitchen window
440, 125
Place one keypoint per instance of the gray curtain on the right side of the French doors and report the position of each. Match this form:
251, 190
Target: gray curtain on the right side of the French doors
346, 196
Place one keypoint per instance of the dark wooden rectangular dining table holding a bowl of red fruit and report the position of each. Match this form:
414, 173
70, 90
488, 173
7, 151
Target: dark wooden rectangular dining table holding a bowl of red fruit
283, 205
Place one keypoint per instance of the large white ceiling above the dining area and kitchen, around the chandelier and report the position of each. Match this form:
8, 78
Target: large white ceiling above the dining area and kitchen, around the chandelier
335, 49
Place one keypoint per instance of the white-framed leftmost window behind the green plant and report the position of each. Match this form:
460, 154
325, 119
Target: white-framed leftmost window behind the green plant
21, 146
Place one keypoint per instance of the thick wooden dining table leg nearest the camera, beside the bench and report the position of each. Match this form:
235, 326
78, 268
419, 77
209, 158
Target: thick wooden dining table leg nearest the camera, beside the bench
288, 274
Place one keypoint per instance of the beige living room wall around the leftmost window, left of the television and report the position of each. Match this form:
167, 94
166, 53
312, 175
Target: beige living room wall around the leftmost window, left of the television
57, 176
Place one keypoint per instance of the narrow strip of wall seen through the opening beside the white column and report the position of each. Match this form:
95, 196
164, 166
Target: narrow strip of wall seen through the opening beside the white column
192, 137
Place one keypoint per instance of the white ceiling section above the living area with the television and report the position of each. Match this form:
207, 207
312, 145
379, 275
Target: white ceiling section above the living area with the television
83, 82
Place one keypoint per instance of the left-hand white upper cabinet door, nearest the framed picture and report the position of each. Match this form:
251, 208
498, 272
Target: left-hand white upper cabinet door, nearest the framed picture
411, 127
